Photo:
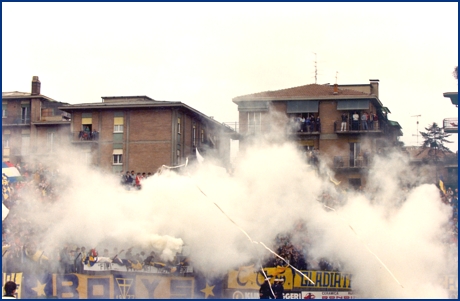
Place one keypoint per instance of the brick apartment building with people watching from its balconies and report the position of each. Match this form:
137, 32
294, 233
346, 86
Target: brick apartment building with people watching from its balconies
348, 152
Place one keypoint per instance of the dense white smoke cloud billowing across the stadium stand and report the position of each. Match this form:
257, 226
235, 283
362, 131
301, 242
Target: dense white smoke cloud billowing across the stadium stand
271, 190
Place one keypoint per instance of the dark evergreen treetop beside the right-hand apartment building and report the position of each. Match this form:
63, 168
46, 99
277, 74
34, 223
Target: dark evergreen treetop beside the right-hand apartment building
434, 139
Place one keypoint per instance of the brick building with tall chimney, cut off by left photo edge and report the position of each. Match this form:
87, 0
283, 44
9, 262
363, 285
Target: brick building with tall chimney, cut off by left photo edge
32, 125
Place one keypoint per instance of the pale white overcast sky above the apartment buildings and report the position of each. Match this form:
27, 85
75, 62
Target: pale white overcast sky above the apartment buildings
205, 54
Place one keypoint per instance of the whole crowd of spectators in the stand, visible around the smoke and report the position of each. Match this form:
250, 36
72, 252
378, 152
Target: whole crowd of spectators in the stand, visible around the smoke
21, 251
